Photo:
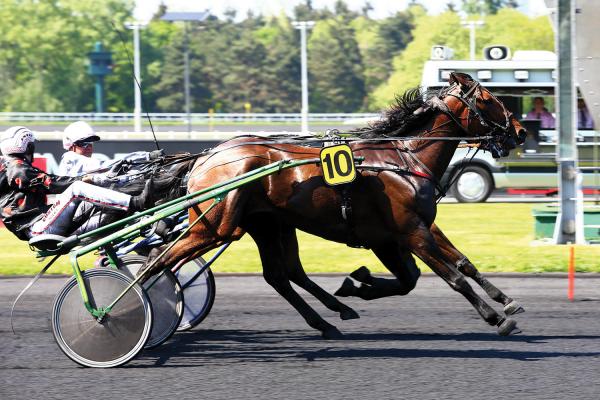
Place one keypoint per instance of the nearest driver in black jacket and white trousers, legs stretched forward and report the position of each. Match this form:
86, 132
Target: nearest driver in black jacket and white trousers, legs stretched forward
23, 190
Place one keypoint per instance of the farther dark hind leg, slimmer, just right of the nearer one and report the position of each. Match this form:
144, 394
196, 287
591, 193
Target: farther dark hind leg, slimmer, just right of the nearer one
298, 276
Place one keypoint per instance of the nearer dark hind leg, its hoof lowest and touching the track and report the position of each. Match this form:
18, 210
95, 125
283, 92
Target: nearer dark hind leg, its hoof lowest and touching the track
267, 235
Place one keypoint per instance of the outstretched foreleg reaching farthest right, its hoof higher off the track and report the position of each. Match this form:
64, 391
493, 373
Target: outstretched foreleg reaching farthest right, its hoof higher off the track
465, 266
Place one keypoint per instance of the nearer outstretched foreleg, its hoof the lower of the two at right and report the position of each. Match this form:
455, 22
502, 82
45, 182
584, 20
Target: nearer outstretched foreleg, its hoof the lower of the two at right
423, 245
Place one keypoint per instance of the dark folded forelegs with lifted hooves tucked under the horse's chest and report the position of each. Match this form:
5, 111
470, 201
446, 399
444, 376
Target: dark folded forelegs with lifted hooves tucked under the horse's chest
398, 262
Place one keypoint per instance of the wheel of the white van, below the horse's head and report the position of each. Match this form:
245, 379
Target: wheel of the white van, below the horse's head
474, 185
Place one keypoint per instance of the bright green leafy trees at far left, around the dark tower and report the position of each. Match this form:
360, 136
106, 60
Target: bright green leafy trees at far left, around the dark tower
43, 56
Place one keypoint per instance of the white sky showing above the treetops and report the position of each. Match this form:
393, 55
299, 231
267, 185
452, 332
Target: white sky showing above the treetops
381, 8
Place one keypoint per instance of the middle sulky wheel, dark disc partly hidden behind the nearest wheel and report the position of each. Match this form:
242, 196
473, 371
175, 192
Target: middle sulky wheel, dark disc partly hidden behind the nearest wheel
166, 297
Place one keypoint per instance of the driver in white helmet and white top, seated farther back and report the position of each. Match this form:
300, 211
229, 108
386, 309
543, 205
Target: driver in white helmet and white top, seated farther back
78, 141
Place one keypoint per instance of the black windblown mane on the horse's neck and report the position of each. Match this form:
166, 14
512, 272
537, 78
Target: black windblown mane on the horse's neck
400, 119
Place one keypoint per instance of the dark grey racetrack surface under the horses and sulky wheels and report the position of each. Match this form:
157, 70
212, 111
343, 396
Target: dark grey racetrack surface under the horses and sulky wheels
427, 345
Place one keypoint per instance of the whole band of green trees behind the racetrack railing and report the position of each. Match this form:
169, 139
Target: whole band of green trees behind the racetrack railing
356, 63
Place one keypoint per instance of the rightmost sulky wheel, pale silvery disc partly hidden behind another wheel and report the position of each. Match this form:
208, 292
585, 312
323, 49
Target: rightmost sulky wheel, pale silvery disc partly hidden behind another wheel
199, 293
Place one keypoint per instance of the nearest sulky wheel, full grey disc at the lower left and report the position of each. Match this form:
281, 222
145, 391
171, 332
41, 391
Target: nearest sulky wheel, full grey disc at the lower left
122, 332
